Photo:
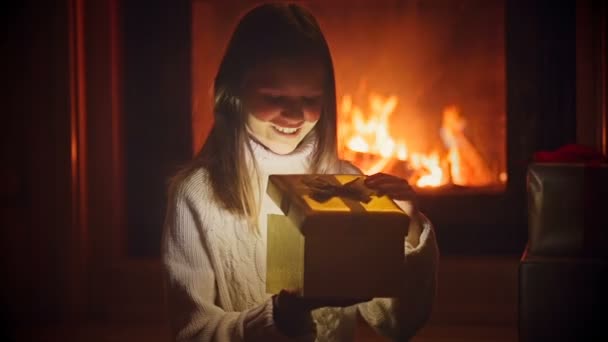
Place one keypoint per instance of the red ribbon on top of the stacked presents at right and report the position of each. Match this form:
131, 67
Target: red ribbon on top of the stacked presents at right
571, 153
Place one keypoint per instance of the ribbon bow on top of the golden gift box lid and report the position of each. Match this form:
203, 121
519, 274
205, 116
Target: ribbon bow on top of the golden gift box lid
324, 188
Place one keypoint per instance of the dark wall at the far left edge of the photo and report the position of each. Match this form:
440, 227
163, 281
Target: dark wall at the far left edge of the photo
35, 193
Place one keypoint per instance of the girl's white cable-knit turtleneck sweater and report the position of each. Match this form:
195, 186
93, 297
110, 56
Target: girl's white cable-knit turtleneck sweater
215, 269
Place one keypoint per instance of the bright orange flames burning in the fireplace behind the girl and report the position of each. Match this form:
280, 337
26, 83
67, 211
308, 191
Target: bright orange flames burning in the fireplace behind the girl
365, 139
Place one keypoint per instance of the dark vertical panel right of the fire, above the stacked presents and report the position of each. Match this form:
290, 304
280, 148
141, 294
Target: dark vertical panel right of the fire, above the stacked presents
541, 69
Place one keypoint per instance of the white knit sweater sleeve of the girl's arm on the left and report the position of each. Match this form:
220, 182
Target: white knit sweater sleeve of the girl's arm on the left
191, 289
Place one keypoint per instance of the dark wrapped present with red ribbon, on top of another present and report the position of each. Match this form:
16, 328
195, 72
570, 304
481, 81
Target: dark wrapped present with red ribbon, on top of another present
568, 209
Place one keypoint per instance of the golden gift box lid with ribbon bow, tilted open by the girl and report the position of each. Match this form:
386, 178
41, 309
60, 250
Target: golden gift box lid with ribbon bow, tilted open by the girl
305, 199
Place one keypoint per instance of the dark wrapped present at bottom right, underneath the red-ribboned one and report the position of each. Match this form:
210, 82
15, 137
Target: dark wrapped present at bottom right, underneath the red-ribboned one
562, 299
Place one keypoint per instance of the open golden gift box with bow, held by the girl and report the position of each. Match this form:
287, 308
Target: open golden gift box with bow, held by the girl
336, 238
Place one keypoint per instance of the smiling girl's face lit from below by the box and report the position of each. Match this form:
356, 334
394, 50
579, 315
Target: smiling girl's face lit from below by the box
283, 101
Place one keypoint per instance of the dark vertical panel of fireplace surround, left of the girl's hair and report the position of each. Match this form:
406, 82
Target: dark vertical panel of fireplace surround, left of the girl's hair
157, 112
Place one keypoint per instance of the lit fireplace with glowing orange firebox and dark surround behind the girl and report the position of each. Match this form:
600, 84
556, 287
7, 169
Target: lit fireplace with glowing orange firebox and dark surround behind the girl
425, 87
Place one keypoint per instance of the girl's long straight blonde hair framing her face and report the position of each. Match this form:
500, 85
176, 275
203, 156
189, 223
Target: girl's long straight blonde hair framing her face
269, 32
